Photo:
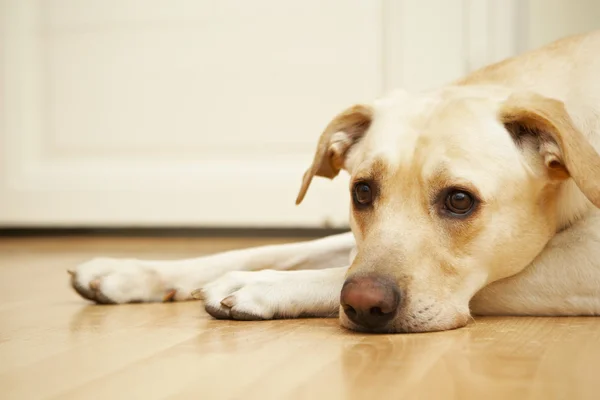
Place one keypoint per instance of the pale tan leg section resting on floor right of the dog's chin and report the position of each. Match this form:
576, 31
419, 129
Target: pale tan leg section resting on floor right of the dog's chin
563, 280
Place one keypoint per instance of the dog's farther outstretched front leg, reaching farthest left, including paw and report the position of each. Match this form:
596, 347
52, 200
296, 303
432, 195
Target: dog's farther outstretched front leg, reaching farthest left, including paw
110, 280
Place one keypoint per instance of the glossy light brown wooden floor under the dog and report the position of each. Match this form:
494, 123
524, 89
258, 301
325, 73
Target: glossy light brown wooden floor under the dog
55, 345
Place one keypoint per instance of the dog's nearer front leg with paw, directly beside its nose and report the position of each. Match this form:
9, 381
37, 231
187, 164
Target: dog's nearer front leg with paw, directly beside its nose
273, 294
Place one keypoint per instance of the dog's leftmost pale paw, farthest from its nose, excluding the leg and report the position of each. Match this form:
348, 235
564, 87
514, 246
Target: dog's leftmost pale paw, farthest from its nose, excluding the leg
118, 281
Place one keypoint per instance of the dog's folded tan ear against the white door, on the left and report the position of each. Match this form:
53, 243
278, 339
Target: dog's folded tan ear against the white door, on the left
345, 130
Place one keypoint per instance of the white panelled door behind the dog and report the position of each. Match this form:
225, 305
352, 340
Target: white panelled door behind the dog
188, 113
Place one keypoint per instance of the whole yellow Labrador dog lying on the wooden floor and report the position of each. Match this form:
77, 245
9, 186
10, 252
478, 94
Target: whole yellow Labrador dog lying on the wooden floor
480, 197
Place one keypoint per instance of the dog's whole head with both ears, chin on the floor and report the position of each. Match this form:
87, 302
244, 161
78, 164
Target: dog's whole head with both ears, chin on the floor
449, 192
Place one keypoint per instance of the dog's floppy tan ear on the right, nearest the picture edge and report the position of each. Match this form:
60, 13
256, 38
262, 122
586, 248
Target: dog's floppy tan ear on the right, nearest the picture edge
532, 118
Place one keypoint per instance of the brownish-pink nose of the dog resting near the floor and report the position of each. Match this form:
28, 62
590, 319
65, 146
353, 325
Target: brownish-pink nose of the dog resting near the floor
370, 301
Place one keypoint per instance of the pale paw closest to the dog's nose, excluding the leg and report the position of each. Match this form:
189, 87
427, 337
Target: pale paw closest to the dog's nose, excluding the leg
245, 296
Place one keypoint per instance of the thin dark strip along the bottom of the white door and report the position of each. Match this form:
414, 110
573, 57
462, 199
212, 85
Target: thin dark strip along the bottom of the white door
168, 232
